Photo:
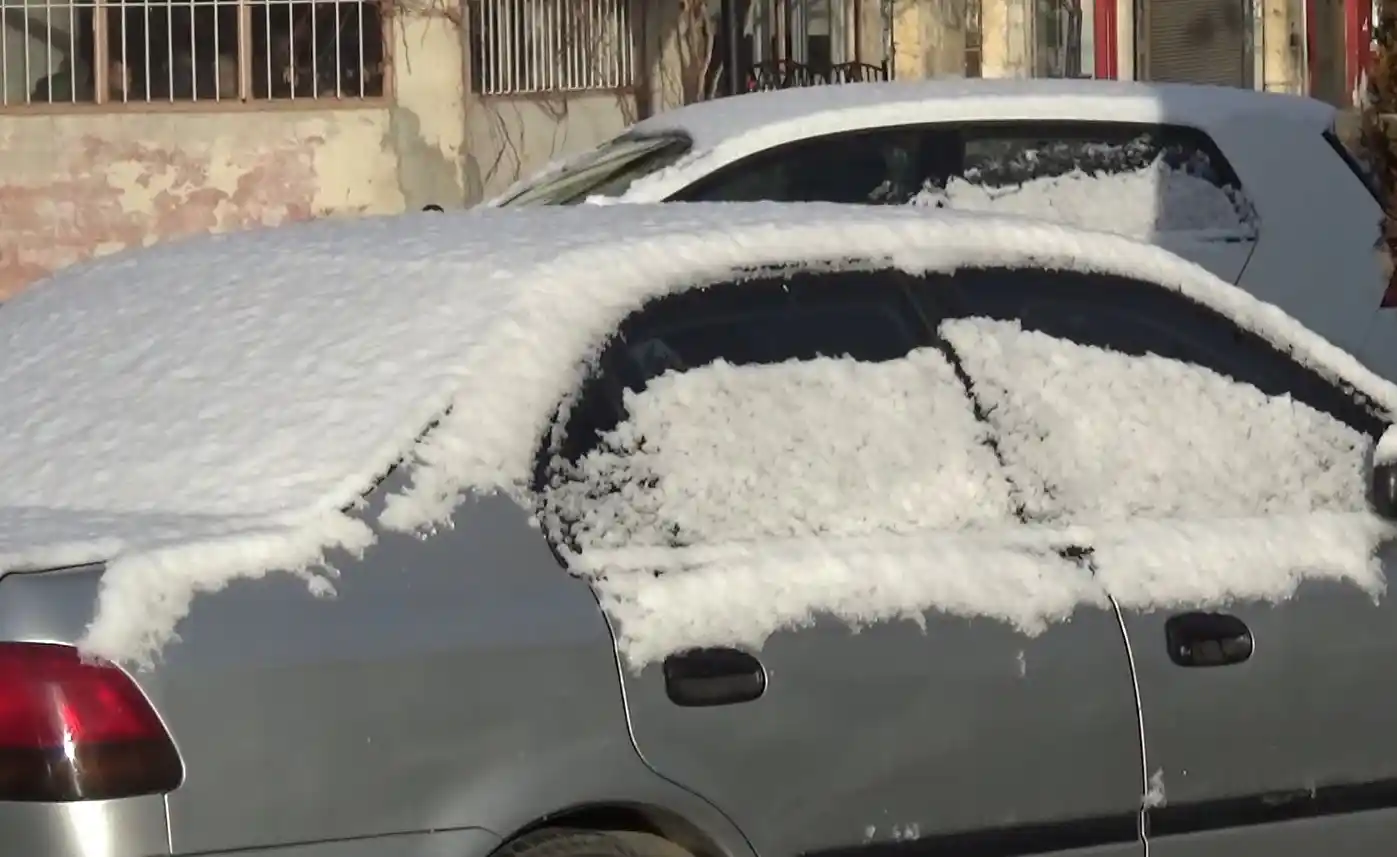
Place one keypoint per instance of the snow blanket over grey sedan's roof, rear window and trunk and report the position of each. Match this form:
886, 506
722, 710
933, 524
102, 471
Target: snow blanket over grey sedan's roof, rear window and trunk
213, 409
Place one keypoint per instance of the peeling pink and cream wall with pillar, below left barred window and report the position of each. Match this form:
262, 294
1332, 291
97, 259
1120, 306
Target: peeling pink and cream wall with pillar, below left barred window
85, 184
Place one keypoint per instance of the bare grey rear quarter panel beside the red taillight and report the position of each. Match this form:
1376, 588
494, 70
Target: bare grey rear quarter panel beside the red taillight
456, 682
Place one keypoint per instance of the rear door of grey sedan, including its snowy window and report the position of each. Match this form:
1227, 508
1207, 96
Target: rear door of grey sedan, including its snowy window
920, 728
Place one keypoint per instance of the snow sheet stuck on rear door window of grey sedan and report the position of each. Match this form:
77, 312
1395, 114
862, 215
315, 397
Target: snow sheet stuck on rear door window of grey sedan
831, 447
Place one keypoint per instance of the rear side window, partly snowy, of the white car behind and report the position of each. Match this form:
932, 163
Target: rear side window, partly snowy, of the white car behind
1120, 177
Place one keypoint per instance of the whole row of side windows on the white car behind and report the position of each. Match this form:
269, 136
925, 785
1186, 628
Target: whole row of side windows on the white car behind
1120, 177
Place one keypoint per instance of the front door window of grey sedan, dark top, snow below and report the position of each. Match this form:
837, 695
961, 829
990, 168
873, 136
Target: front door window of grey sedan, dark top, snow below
1114, 399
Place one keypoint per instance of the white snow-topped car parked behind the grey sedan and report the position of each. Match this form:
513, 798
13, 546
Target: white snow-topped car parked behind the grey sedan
1258, 188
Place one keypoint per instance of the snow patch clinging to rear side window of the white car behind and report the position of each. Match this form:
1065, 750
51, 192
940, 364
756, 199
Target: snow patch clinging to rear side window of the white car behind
1139, 203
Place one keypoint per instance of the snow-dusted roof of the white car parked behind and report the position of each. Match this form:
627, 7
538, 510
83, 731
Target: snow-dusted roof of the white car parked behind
849, 107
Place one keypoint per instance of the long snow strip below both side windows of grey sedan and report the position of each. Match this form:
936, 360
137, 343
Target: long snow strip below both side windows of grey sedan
667, 600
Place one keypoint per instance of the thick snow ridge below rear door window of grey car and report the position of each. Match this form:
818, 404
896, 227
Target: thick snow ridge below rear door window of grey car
740, 595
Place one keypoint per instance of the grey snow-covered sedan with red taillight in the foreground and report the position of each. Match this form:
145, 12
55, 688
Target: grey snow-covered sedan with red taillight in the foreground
743, 531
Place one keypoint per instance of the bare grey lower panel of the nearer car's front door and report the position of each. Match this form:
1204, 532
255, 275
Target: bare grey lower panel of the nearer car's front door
1304, 728
